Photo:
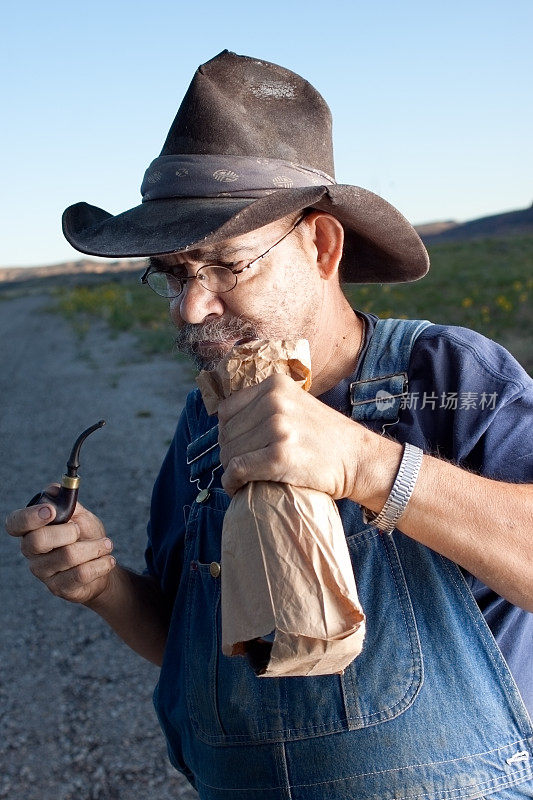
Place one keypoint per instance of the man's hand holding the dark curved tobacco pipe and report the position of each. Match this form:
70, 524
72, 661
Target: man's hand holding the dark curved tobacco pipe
72, 559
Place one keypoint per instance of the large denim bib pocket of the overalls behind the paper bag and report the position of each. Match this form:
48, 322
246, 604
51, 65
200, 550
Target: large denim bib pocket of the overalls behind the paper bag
228, 703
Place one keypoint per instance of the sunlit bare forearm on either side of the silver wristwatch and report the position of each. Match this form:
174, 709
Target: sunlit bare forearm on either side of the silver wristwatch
484, 525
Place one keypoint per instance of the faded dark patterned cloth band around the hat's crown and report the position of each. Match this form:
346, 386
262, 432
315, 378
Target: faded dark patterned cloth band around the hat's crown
225, 176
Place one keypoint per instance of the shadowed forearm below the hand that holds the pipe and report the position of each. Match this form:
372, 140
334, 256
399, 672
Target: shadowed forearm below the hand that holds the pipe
134, 607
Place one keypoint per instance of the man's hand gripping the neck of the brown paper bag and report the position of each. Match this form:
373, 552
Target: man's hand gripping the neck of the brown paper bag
277, 432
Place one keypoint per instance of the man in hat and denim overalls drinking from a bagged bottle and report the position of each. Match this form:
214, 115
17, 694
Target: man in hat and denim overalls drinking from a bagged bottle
247, 231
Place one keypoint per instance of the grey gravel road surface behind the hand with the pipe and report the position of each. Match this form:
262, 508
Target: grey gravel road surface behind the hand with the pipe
76, 716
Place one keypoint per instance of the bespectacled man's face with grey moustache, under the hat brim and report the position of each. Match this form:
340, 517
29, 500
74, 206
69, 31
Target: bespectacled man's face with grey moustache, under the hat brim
279, 297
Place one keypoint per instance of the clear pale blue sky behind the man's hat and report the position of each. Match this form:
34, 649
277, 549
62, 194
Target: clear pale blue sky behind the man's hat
431, 101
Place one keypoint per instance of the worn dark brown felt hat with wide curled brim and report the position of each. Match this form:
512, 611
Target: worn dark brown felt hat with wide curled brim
250, 144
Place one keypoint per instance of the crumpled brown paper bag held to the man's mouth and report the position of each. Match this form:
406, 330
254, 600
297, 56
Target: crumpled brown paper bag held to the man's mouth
285, 566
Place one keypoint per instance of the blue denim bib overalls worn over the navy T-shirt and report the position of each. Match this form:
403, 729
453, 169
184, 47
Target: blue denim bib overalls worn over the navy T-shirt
428, 711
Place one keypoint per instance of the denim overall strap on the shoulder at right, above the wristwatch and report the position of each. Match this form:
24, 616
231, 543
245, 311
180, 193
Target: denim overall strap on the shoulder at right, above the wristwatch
382, 377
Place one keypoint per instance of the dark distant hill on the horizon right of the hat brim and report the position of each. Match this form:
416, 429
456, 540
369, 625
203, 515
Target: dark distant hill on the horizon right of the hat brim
513, 223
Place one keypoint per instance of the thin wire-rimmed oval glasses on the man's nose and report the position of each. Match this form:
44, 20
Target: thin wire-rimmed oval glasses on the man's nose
213, 277
